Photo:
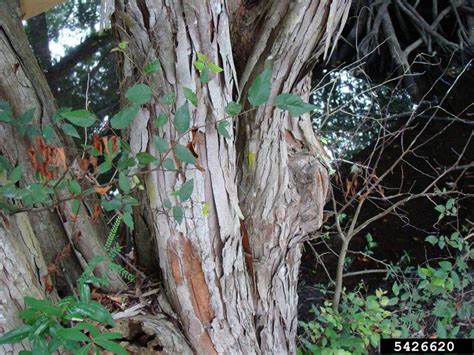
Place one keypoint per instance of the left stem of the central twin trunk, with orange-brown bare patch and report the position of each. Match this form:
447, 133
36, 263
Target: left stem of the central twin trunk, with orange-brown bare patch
228, 322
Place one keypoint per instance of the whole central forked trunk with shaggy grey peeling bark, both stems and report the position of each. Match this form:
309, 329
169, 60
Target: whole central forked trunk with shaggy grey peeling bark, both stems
231, 276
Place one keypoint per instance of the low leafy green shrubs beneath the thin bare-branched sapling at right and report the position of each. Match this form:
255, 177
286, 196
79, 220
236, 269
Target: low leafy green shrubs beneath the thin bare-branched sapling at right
431, 300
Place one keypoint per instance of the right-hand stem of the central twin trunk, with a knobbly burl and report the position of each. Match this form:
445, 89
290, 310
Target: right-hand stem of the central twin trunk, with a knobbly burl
276, 197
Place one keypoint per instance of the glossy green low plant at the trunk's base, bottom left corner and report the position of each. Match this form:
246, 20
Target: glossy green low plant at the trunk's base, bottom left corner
78, 325
